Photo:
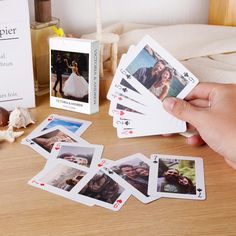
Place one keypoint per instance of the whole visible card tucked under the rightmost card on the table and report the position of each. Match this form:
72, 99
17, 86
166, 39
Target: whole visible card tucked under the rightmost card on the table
134, 175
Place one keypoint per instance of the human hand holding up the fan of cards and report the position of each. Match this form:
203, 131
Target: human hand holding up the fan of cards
211, 109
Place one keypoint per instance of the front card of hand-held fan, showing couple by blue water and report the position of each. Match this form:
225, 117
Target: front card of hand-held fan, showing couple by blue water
155, 72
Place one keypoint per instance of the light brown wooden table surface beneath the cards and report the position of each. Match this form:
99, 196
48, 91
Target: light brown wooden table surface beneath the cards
25, 210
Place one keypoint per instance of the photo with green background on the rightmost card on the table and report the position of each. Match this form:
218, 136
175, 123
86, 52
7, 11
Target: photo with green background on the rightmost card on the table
176, 176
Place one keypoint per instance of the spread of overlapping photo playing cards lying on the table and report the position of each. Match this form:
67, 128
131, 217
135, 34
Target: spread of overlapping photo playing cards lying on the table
76, 170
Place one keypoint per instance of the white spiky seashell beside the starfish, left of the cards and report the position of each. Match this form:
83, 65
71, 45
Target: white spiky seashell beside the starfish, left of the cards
20, 117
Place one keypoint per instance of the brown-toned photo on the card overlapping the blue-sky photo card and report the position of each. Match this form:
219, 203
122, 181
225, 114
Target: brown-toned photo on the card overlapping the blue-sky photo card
46, 141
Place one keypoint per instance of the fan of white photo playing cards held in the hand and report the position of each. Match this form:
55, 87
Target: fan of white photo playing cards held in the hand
146, 75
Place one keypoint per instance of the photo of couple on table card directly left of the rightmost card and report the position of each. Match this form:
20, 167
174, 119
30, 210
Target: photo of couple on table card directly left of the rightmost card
136, 172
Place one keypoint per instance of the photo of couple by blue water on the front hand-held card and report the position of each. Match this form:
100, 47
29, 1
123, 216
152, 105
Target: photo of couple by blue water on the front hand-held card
156, 74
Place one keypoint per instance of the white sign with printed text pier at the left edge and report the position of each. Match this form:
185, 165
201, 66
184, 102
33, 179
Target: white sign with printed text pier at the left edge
16, 69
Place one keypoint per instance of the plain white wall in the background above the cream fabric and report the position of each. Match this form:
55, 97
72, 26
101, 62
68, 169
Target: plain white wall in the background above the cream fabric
78, 16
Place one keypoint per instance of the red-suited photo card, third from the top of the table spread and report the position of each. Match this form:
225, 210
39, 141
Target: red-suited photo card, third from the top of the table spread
85, 155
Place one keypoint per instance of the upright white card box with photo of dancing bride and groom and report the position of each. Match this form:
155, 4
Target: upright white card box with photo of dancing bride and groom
71, 95
